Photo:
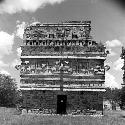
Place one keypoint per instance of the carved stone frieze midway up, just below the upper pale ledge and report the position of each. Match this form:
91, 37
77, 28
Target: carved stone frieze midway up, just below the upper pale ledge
67, 67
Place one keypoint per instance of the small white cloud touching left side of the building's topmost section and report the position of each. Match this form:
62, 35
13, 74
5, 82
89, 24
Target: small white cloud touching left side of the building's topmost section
20, 29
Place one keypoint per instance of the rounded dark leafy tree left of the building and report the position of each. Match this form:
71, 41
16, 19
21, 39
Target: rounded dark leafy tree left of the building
8, 91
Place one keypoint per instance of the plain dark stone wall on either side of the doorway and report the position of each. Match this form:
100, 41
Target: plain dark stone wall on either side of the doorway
75, 99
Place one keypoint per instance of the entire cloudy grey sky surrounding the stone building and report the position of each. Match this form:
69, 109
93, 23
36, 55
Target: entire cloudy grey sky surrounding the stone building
107, 21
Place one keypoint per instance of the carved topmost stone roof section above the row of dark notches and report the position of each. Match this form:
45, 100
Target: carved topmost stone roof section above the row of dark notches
58, 31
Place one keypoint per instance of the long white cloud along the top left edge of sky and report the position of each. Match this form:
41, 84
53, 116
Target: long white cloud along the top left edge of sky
14, 6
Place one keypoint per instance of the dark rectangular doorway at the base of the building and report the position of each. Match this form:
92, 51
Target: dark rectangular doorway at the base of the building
61, 104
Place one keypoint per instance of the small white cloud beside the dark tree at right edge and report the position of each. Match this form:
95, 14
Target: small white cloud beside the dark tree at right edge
118, 64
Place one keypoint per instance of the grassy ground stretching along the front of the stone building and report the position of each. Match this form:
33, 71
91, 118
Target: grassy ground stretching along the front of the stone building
9, 116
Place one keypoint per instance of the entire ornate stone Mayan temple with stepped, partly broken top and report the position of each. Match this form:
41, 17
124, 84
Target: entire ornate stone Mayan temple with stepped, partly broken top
62, 68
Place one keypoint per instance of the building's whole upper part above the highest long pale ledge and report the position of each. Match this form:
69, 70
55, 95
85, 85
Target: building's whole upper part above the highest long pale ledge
71, 38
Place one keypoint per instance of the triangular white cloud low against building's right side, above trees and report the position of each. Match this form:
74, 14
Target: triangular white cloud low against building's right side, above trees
110, 81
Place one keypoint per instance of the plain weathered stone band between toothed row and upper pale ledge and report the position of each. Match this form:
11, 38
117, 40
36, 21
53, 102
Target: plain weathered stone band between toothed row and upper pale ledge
41, 50
